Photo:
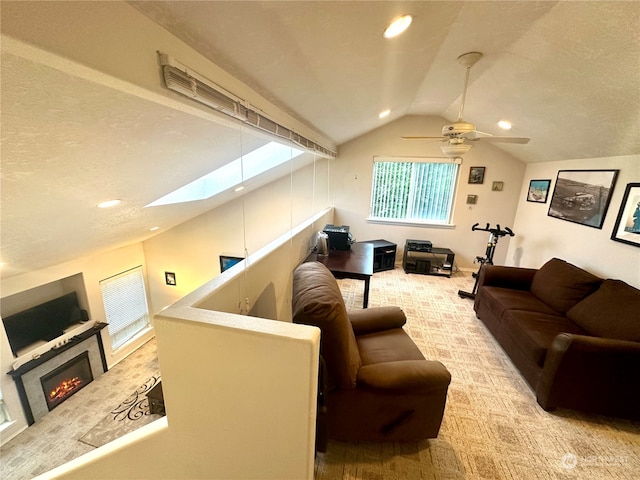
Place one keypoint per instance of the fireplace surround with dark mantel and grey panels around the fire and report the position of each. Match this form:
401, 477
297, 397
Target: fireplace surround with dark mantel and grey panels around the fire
29, 376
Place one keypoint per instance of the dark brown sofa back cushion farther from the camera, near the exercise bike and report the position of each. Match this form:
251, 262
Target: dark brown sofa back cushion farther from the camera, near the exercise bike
561, 285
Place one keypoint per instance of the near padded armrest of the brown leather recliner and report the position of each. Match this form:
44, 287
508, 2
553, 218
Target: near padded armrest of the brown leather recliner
417, 376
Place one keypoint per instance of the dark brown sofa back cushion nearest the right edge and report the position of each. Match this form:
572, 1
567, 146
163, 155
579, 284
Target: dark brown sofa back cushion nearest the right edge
613, 311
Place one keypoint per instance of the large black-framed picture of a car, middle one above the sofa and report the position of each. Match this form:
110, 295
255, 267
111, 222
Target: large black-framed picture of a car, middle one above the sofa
582, 196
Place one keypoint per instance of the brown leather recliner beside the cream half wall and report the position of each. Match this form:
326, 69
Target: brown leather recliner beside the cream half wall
380, 387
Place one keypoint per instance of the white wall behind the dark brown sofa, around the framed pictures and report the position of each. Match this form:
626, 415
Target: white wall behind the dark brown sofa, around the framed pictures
540, 237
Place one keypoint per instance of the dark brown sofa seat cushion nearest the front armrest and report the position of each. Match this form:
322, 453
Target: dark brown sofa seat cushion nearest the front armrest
533, 332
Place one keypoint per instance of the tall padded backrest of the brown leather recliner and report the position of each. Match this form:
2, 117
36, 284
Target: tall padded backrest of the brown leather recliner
317, 301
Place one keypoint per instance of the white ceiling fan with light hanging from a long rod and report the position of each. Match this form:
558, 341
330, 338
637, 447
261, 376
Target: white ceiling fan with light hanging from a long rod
458, 134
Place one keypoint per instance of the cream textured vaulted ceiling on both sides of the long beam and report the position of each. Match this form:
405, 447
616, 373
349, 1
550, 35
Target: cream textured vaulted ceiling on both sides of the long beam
565, 73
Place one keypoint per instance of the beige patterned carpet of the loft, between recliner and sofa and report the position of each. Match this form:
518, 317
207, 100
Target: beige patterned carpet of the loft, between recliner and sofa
493, 428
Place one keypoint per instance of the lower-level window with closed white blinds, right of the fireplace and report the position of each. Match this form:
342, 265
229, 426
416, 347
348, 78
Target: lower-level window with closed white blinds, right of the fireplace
125, 305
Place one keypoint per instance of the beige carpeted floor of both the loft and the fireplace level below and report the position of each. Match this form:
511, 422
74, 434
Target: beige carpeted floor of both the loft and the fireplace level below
493, 428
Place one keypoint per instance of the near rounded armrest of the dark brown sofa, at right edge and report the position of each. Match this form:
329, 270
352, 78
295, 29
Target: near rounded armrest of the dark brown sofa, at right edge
591, 374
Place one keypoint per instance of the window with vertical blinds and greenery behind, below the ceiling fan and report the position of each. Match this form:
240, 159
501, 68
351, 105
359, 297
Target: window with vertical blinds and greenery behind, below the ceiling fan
419, 190
